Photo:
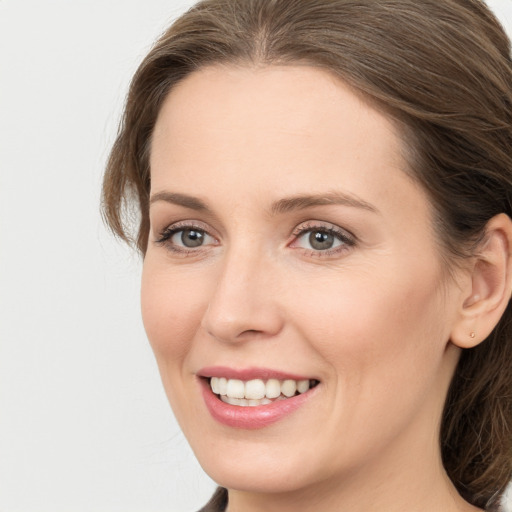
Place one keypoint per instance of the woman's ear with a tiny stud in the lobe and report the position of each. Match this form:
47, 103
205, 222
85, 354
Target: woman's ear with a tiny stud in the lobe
487, 285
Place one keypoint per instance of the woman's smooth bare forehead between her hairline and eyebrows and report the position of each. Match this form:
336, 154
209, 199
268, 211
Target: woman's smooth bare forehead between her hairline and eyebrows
289, 126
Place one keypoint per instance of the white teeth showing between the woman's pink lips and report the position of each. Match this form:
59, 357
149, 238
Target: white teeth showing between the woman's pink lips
255, 392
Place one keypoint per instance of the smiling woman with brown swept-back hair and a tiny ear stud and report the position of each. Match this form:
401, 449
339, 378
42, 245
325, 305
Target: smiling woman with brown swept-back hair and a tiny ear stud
324, 190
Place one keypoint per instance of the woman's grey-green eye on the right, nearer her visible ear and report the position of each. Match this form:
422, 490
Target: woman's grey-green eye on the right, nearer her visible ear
322, 239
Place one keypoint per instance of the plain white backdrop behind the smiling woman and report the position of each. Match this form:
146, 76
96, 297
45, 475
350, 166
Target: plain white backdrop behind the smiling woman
84, 423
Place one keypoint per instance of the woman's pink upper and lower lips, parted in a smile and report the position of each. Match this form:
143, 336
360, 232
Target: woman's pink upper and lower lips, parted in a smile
249, 417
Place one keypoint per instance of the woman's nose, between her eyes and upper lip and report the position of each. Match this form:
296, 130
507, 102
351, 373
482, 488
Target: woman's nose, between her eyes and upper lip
244, 302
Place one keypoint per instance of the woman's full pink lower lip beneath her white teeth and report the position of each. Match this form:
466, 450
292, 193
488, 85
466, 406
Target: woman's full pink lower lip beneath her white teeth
251, 417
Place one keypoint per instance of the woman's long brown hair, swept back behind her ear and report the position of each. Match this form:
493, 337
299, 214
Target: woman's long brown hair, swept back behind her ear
442, 70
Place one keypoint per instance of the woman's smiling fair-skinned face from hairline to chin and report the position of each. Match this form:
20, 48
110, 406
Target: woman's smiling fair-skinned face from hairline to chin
287, 242
